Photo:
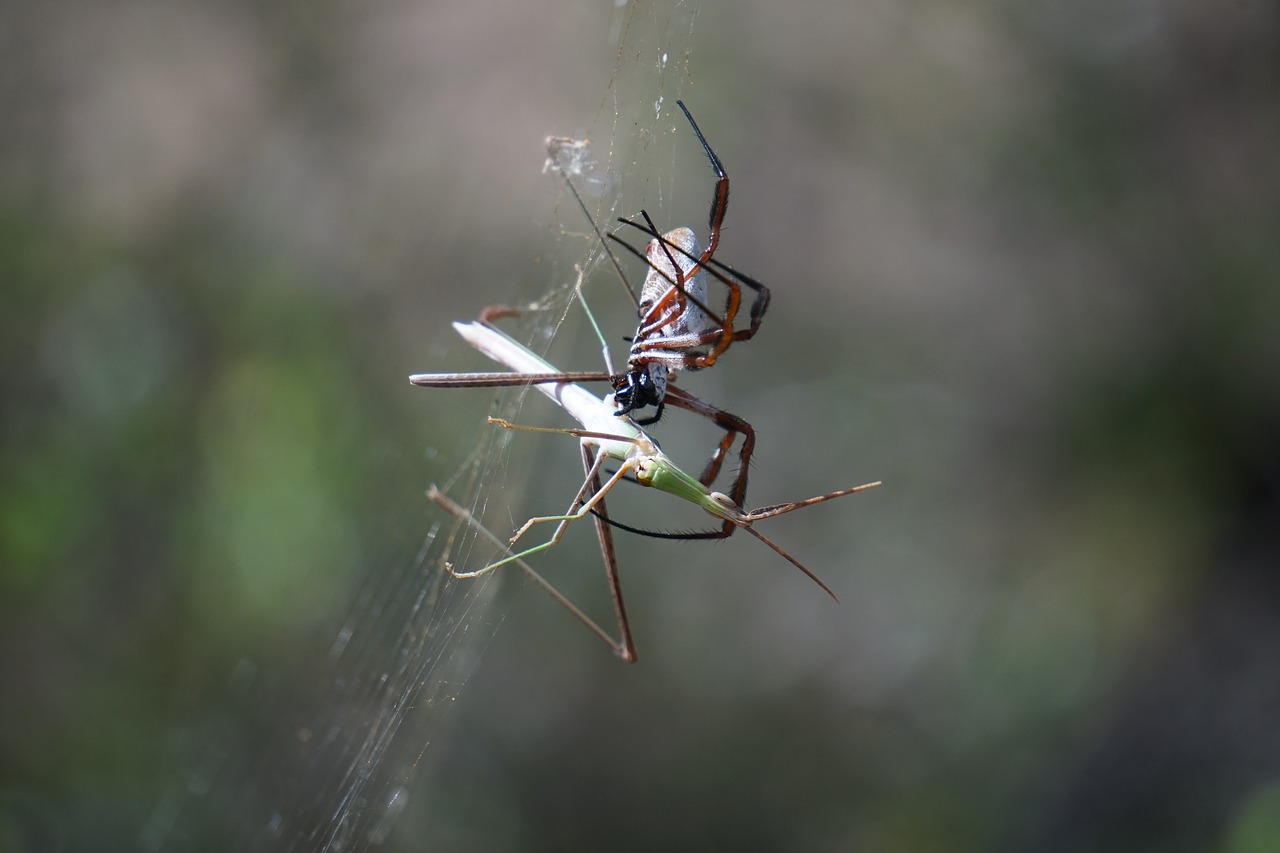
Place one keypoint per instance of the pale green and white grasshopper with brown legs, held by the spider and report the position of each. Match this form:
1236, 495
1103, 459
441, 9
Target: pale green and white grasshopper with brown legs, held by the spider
605, 439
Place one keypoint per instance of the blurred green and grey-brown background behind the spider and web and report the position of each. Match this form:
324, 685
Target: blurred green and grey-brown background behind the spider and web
1026, 271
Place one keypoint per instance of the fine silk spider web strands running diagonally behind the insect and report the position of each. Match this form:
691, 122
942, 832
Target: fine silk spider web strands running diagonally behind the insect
346, 763
